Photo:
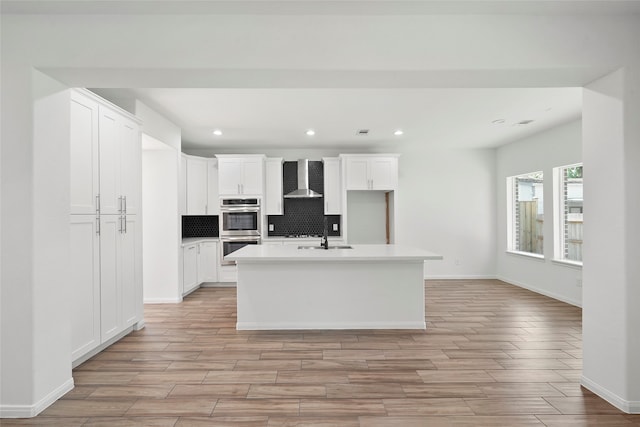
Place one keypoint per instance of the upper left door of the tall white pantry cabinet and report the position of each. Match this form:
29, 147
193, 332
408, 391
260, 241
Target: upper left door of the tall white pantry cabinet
83, 141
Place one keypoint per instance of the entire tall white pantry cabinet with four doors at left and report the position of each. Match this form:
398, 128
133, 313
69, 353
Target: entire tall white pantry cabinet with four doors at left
106, 270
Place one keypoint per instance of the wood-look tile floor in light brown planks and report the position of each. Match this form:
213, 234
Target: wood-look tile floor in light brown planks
492, 355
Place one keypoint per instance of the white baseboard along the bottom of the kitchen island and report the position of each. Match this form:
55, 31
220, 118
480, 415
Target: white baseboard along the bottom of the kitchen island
257, 326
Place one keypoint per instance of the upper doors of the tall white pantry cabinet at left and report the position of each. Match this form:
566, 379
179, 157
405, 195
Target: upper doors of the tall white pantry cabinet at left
105, 158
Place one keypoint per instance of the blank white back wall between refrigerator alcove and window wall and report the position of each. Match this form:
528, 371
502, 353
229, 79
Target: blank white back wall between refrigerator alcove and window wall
446, 204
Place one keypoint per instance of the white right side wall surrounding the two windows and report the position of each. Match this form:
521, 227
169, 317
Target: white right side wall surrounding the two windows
542, 152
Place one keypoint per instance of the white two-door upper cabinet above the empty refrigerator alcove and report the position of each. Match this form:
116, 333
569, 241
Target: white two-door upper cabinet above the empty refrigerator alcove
371, 172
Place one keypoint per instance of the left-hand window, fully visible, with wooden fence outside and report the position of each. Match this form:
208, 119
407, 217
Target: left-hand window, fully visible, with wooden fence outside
526, 213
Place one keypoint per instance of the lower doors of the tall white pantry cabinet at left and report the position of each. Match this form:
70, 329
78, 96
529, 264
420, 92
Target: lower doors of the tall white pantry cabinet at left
105, 279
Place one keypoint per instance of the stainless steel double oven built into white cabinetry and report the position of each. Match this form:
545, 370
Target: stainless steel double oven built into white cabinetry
239, 225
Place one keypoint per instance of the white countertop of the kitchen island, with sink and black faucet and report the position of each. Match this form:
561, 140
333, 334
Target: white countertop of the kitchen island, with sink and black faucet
270, 253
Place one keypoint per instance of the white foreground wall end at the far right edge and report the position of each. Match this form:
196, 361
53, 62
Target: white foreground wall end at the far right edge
611, 158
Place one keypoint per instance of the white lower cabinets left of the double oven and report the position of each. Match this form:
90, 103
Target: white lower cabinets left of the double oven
200, 264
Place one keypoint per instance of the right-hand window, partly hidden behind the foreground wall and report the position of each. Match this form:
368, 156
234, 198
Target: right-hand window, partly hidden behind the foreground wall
568, 213
